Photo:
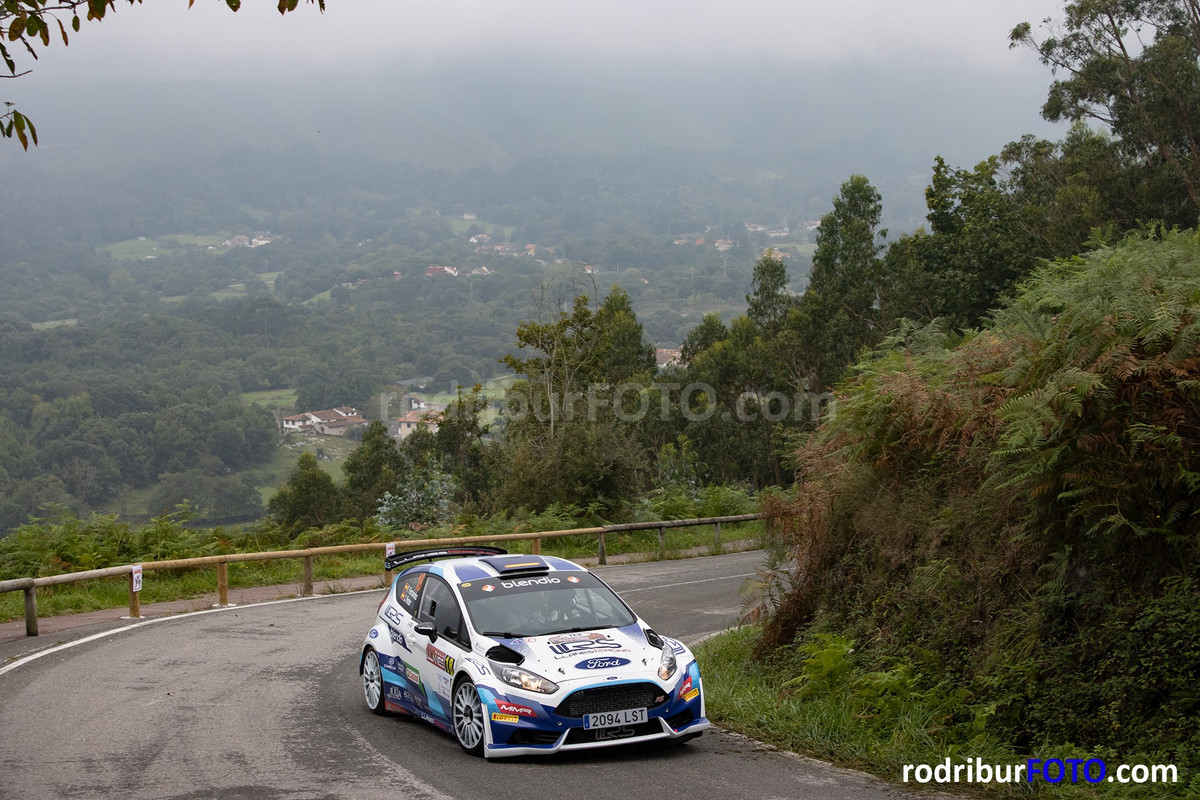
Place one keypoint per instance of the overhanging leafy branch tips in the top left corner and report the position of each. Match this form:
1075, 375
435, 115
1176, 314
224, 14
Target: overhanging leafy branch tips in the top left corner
34, 23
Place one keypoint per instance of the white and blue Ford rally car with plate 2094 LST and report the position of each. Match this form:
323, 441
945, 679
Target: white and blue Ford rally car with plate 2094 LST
524, 654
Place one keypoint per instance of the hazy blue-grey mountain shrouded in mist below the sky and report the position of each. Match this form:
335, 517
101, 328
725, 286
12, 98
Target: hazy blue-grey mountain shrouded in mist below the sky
743, 140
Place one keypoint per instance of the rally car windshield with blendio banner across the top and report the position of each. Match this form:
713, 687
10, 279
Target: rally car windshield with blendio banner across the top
557, 603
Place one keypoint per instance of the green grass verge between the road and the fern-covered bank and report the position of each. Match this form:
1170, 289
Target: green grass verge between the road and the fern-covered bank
820, 700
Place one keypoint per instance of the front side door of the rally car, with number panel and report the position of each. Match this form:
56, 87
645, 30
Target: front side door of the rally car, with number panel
439, 609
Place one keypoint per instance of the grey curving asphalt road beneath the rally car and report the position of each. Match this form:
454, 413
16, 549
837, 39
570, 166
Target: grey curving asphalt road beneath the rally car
265, 702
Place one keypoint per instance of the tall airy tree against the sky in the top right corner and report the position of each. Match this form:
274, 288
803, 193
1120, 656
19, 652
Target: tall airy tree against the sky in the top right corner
1133, 67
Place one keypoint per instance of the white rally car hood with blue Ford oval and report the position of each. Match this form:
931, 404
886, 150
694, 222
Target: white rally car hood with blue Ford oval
589, 654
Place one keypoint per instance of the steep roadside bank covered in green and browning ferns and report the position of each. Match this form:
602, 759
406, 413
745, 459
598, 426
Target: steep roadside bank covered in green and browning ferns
1017, 514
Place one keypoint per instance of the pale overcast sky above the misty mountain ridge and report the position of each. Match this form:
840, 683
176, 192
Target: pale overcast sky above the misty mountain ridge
166, 38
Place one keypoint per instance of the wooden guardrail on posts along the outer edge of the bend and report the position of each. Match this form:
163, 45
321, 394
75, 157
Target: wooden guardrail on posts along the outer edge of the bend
31, 586
